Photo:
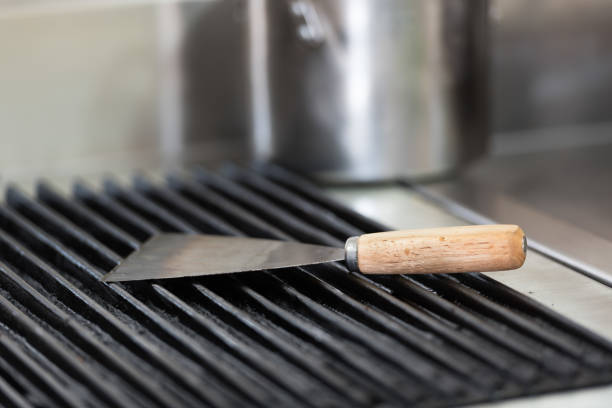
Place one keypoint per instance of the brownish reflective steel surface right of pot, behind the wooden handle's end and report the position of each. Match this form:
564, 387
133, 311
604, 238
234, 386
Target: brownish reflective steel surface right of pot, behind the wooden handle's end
561, 197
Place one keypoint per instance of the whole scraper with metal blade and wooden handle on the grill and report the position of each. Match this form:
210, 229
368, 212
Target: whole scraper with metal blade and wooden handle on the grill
476, 248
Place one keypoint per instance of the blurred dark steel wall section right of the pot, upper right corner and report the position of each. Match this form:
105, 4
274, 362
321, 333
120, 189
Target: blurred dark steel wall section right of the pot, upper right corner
550, 63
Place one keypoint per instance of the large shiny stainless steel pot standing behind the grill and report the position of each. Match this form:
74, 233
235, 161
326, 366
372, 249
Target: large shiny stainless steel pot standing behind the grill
363, 90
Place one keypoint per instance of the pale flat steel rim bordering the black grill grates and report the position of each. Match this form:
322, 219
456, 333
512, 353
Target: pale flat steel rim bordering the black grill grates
558, 287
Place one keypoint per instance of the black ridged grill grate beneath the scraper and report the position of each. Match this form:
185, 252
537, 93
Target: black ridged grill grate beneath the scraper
315, 336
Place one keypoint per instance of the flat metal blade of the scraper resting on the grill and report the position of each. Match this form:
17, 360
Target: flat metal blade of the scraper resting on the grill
178, 255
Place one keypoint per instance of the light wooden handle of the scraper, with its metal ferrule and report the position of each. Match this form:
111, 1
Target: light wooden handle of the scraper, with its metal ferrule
476, 248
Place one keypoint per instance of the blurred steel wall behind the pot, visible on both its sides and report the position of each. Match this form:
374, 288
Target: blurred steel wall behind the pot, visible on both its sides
96, 81
